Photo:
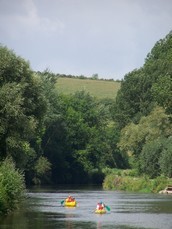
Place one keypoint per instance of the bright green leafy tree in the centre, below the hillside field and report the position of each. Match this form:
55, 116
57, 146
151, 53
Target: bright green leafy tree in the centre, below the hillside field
91, 135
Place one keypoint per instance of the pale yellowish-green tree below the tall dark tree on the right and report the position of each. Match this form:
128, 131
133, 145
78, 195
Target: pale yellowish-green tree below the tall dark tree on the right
151, 127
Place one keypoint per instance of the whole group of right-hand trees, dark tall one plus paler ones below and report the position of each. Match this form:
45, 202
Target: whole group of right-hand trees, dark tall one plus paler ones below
143, 112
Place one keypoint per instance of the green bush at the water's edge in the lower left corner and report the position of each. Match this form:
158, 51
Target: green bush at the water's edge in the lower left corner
12, 186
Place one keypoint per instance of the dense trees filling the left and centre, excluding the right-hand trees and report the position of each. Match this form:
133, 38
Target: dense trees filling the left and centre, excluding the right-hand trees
53, 138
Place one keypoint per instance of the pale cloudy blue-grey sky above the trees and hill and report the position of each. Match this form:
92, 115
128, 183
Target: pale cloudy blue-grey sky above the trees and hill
84, 37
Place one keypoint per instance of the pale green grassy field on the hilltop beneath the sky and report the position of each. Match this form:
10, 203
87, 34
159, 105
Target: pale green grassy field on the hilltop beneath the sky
98, 88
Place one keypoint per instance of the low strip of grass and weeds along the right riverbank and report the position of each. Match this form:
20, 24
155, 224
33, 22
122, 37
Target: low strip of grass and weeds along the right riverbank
125, 180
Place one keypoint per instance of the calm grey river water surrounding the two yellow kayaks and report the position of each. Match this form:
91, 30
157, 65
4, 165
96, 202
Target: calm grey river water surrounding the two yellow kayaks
128, 210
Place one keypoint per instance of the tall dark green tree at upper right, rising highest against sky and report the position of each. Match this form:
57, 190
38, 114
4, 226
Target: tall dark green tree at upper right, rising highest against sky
142, 89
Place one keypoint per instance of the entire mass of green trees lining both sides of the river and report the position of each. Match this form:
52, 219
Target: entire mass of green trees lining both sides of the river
57, 138
